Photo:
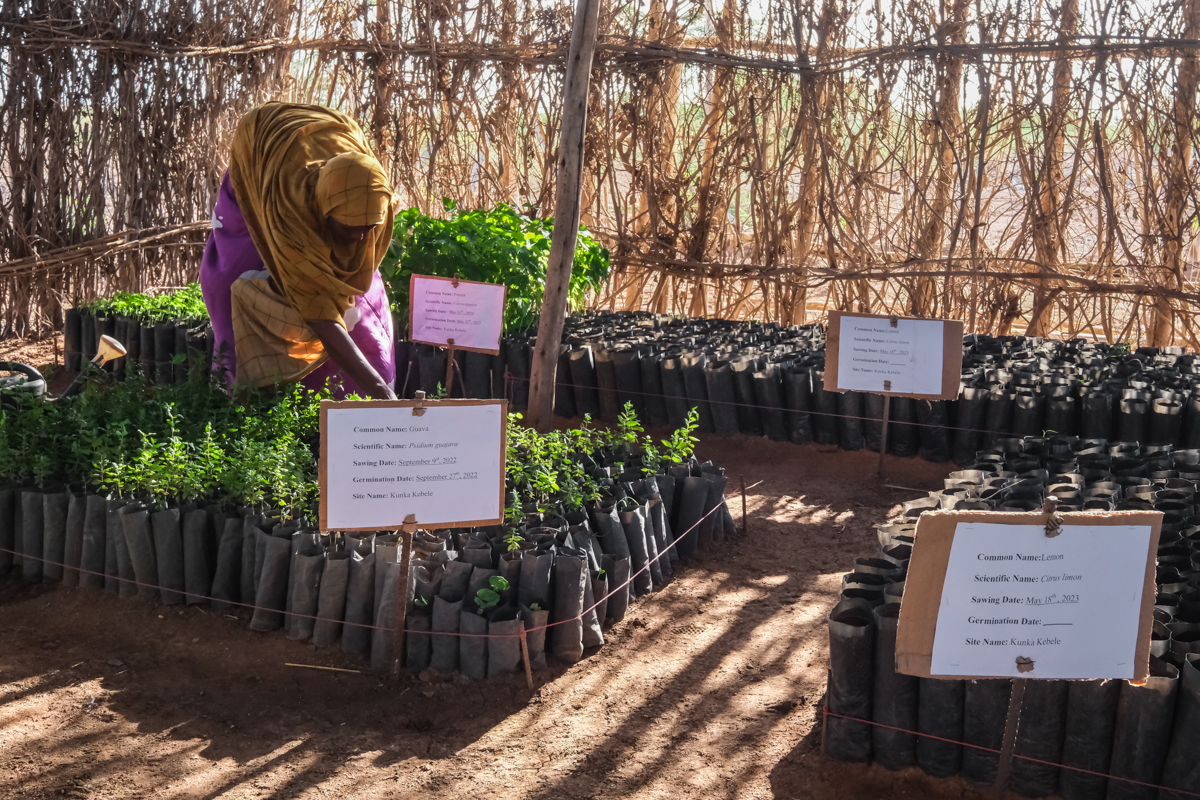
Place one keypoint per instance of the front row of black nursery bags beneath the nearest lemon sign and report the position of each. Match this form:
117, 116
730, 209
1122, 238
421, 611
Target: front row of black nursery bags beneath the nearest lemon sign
1145, 735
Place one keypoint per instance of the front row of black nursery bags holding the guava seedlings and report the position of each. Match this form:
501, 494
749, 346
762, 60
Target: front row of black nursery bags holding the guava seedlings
331, 588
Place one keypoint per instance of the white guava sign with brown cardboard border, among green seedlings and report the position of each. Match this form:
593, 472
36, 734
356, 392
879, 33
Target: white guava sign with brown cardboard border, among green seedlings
382, 464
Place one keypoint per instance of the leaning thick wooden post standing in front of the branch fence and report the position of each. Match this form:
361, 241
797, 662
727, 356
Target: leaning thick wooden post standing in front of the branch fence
567, 214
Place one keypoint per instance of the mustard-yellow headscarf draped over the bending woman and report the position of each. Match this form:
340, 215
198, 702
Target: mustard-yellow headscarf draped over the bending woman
291, 167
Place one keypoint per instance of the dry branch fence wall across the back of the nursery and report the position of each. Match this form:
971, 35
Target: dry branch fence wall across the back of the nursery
1024, 167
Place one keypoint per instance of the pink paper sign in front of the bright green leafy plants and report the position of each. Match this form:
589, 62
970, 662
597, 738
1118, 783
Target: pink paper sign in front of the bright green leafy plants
469, 316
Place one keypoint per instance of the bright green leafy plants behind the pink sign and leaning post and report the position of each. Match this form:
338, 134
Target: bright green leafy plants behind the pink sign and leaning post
496, 246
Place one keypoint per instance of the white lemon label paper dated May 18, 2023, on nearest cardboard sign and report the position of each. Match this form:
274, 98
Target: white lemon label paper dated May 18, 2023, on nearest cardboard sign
1071, 604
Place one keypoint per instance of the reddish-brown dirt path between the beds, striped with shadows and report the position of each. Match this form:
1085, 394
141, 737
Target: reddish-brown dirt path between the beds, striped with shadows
709, 689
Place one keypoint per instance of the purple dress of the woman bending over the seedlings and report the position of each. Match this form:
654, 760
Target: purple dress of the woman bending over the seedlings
231, 252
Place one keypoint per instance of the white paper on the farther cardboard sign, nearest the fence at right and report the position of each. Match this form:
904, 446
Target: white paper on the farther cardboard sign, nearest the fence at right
875, 357
